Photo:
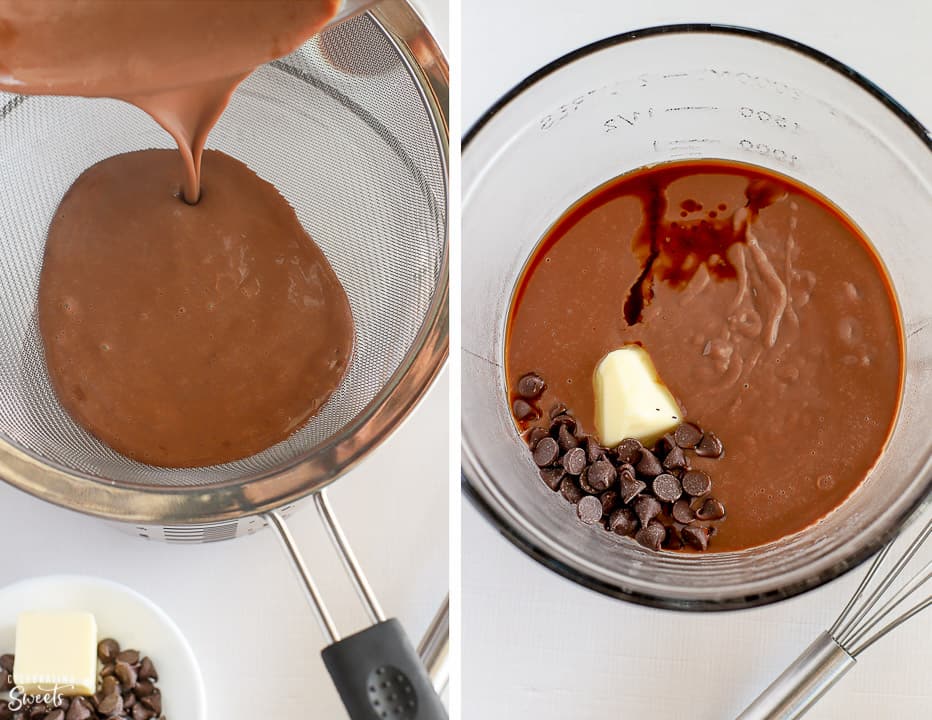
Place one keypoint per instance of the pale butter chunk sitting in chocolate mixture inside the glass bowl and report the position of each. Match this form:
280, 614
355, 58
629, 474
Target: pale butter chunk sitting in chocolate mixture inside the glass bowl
630, 399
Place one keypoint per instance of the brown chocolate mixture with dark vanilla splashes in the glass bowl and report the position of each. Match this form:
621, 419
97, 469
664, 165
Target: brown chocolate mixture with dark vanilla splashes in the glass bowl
765, 311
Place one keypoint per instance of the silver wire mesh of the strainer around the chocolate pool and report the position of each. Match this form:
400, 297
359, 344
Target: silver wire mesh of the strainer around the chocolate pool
339, 127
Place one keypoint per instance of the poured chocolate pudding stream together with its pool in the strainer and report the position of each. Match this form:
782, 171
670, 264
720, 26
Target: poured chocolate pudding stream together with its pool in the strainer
181, 328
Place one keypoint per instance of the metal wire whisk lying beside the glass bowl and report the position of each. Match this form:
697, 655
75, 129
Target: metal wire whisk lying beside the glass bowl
869, 615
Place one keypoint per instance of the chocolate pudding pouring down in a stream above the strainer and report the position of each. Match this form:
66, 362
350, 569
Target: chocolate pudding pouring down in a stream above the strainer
178, 61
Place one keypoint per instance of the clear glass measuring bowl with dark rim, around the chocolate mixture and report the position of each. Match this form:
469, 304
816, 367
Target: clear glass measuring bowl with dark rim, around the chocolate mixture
696, 91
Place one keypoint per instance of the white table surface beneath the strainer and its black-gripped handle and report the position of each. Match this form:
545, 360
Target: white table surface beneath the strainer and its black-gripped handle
238, 601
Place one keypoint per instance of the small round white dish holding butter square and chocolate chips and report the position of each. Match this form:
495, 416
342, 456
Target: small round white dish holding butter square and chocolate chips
122, 614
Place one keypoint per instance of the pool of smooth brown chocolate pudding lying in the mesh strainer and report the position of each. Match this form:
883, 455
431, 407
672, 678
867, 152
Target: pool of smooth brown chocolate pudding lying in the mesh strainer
185, 335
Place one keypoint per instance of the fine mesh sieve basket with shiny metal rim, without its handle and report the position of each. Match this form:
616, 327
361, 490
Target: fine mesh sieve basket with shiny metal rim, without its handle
354, 140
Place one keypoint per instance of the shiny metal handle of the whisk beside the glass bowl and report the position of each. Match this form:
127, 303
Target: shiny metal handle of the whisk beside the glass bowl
819, 667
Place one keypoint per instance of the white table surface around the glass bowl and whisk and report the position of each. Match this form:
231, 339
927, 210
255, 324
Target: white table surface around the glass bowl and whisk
537, 646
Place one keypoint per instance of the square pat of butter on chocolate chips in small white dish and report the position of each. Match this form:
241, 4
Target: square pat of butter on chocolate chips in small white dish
56, 650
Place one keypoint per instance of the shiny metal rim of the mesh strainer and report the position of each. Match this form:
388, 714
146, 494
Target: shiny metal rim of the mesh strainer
323, 464
